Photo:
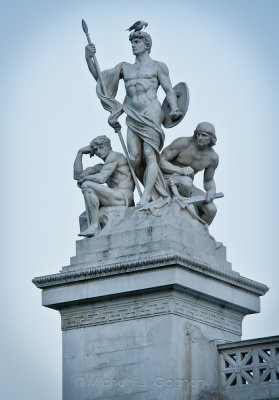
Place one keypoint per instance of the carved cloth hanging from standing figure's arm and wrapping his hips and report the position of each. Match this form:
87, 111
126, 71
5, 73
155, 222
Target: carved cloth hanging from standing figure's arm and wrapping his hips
140, 124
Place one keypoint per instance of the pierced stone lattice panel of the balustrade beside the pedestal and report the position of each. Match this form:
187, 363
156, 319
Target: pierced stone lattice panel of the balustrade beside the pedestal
251, 365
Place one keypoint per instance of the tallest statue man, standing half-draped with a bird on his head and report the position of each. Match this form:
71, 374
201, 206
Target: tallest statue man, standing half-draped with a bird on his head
145, 136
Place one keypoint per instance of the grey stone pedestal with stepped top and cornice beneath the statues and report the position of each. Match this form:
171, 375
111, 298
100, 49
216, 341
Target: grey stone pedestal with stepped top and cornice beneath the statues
143, 307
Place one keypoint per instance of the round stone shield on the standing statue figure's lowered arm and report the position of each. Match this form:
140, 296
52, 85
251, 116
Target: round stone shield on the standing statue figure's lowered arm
182, 92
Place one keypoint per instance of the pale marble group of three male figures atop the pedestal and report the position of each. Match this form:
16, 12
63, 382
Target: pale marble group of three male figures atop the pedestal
164, 173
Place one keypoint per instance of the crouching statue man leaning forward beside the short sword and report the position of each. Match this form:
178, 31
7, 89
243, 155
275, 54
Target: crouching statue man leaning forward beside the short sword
186, 156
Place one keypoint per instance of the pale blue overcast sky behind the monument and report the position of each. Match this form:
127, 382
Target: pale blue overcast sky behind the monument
227, 53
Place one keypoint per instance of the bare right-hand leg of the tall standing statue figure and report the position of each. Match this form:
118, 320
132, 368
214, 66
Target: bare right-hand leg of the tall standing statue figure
151, 172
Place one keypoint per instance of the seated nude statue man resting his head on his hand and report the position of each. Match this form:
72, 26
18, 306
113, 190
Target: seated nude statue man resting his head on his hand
114, 172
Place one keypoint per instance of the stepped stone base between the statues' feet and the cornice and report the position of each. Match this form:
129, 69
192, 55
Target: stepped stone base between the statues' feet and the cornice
132, 234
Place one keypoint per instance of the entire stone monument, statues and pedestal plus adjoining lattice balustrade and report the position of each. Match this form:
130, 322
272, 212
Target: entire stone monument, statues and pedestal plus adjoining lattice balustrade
150, 306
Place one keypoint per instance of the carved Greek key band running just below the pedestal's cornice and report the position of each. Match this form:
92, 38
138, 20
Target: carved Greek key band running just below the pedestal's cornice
131, 310
